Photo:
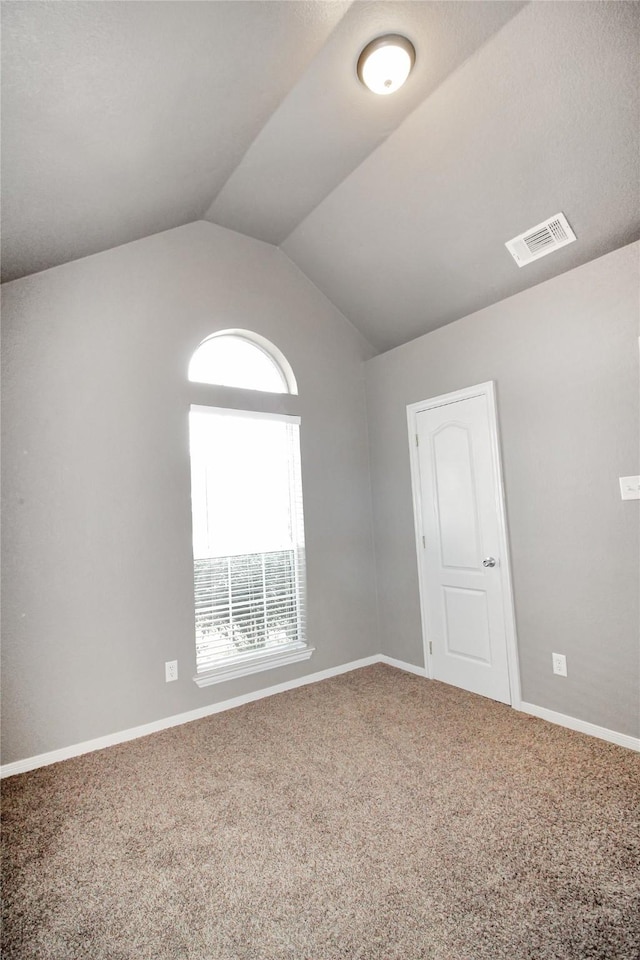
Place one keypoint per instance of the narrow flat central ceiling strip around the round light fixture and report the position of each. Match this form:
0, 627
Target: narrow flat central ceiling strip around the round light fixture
328, 124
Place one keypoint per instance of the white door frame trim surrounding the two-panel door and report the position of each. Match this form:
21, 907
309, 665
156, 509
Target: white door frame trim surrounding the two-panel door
488, 391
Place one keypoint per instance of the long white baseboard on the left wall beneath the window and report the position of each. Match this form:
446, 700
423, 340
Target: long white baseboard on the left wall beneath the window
100, 743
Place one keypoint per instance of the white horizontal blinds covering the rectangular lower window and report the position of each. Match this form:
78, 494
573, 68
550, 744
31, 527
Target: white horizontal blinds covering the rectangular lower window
248, 539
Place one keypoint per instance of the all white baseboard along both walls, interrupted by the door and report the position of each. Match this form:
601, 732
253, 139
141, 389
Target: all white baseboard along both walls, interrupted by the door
100, 743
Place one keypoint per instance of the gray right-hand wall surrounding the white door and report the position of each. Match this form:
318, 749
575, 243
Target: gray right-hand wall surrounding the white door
564, 355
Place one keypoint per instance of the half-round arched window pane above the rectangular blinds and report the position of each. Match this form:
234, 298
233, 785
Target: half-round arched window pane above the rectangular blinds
239, 358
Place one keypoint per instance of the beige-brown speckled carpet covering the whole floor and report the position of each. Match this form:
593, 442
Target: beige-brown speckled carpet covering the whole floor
375, 816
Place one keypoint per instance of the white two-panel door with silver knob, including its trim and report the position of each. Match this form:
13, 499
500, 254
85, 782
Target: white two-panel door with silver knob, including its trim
463, 543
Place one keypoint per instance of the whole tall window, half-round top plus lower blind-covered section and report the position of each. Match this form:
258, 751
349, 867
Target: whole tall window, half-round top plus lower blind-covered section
246, 499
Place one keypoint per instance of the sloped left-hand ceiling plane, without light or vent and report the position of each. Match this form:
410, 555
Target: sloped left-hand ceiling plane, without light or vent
121, 119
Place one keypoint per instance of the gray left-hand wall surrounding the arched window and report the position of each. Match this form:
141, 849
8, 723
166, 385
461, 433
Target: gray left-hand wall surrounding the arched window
97, 579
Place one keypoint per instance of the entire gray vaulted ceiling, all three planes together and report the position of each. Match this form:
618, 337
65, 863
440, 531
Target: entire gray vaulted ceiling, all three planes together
122, 119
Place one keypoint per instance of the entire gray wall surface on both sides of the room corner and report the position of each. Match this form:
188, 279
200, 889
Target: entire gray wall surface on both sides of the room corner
97, 589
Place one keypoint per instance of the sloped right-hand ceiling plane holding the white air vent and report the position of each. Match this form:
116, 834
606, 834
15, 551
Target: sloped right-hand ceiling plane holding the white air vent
545, 118
